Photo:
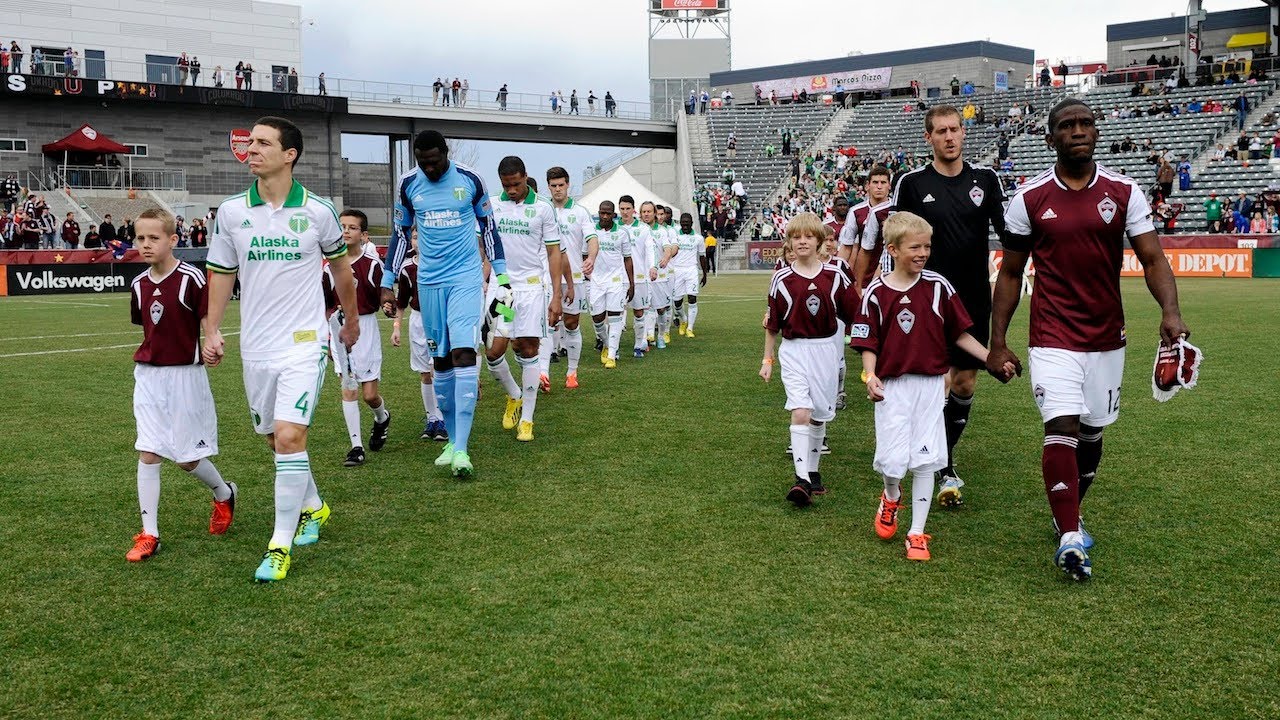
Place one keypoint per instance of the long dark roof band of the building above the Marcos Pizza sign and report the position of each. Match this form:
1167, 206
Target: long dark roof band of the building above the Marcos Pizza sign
894, 58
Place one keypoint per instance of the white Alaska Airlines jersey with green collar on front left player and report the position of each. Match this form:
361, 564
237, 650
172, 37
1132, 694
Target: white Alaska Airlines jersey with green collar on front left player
278, 253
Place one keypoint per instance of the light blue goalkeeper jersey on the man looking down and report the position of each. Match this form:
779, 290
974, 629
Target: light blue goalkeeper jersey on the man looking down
446, 215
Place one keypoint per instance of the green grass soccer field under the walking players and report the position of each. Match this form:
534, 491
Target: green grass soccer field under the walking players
639, 559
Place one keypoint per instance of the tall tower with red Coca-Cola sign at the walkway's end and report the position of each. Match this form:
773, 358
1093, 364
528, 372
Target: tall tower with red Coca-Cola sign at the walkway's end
689, 40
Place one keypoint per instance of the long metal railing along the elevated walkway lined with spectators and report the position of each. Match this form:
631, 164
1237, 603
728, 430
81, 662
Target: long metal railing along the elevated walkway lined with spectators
368, 90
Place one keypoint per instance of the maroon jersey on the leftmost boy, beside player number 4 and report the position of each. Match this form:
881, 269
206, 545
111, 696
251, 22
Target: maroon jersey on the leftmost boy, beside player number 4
170, 312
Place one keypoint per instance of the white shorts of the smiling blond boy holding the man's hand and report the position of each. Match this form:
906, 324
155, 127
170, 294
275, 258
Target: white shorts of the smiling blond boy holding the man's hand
911, 434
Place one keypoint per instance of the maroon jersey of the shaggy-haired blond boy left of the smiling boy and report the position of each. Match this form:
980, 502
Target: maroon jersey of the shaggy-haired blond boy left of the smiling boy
808, 308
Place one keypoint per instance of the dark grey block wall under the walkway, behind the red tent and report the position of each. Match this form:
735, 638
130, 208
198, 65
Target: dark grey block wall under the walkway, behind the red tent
190, 138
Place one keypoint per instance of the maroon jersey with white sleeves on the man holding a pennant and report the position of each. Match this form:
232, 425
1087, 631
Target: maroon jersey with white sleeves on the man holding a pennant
1077, 243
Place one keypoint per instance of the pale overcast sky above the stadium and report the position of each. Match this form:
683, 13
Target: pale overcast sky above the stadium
545, 45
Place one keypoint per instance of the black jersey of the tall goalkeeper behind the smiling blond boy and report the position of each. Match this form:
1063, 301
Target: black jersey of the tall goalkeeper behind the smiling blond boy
962, 211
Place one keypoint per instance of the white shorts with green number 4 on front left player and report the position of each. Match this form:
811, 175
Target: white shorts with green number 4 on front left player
285, 389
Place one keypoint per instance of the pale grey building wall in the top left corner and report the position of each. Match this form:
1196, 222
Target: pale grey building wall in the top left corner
217, 31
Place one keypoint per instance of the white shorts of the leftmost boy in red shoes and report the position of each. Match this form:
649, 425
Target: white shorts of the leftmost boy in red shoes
175, 412
